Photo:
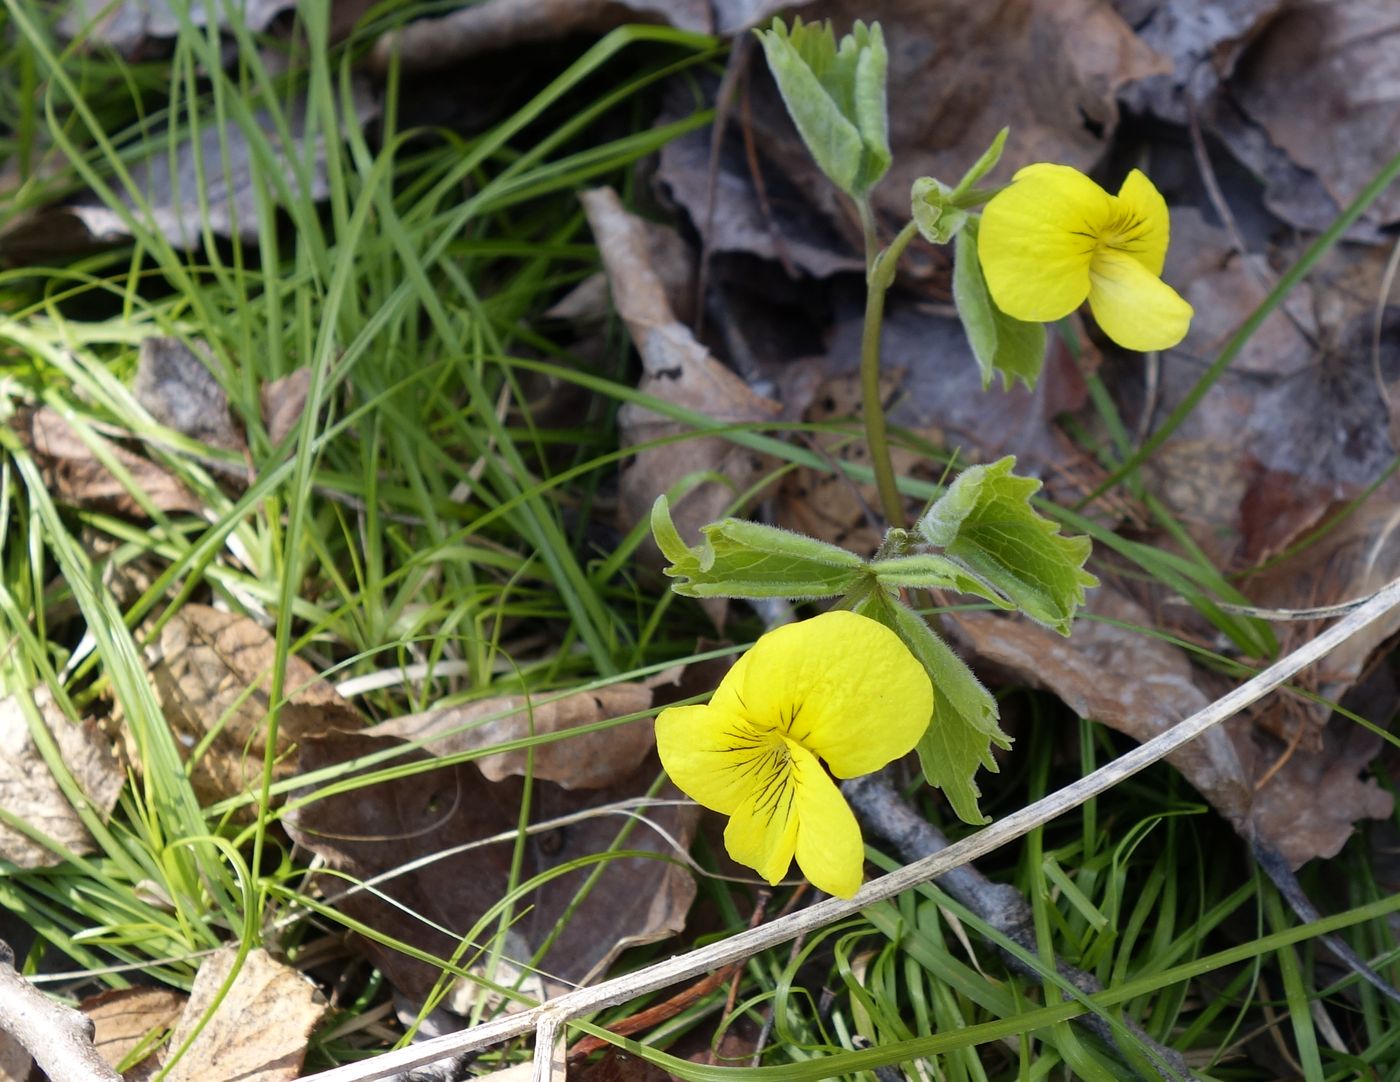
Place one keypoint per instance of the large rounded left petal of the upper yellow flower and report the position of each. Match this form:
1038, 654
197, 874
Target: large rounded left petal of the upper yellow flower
1037, 241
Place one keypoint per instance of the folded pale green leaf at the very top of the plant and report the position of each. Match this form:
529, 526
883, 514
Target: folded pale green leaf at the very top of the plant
836, 97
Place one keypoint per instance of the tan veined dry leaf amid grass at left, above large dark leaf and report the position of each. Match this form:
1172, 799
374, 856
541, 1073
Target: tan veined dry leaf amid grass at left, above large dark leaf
204, 666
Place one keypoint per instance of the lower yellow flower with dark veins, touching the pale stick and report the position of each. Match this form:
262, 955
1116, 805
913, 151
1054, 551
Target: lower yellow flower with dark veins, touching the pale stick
838, 688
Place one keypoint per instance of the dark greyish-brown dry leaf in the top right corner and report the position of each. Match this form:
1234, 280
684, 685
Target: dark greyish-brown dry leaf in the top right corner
1325, 83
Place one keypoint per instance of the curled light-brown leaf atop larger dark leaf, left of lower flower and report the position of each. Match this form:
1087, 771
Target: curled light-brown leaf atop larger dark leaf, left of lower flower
587, 762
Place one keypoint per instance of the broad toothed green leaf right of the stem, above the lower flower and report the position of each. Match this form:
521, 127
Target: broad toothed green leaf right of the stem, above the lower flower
985, 523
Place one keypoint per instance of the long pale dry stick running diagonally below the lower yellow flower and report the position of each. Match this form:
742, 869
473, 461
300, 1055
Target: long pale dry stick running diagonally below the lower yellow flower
824, 913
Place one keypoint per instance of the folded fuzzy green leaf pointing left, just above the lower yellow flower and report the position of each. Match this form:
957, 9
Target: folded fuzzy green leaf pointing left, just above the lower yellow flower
741, 559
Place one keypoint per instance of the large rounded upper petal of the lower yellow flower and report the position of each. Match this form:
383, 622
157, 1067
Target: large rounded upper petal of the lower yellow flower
843, 687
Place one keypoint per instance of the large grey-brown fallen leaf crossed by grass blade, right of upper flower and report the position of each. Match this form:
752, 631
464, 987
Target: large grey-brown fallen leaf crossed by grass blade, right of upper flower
1289, 429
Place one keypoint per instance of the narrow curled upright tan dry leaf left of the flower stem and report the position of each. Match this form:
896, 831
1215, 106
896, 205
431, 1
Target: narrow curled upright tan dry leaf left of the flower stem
680, 370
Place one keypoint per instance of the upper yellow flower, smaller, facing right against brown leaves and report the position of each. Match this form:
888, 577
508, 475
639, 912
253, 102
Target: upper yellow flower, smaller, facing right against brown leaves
1053, 237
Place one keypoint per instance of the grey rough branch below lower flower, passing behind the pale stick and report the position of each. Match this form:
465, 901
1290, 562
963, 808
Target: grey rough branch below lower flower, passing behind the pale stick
887, 814
